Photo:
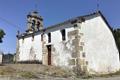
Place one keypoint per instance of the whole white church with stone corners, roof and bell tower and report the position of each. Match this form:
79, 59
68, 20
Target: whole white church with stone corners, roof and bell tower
84, 43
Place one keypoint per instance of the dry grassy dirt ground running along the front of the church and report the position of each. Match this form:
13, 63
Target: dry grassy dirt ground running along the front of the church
38, 72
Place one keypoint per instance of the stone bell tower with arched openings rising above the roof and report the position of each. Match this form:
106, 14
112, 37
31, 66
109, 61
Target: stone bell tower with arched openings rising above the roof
34, 22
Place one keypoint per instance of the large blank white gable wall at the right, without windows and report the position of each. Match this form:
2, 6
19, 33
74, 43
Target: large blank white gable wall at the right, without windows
100, 48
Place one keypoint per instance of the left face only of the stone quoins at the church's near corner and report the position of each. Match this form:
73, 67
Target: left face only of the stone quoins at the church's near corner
74, 38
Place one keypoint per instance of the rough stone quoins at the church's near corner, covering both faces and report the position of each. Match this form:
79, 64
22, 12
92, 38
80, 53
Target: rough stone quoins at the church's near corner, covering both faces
77, 62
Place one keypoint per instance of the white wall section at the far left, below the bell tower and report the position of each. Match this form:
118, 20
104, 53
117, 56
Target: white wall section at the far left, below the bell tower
25, 47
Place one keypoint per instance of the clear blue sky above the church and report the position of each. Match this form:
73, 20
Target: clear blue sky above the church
13, 15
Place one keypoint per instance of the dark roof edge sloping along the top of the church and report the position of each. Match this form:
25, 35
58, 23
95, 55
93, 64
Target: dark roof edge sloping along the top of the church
80, 18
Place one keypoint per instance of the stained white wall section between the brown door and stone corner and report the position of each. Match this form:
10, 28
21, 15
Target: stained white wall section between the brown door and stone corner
61, 56
